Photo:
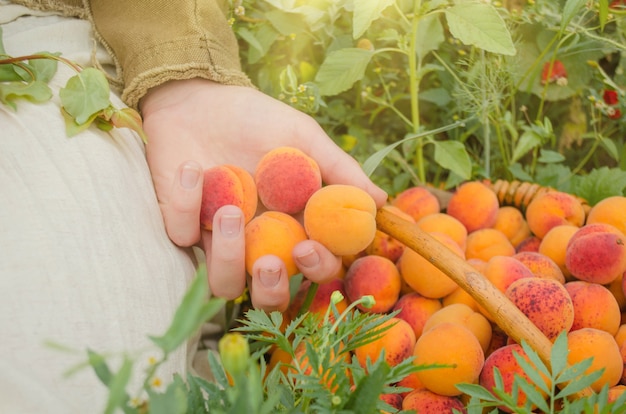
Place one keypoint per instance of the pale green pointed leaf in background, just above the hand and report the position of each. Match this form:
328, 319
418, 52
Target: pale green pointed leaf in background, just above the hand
341, 69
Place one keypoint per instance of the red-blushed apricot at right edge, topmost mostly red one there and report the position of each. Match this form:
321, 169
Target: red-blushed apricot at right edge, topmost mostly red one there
596, 253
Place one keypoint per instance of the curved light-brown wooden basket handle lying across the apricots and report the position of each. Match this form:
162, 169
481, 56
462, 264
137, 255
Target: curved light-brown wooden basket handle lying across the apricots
504, 313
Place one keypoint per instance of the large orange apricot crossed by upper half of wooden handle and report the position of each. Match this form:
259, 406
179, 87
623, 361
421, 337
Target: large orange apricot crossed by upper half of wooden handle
422, 276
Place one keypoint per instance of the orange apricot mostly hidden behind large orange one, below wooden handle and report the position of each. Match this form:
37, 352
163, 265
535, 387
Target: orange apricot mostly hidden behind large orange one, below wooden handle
465, 316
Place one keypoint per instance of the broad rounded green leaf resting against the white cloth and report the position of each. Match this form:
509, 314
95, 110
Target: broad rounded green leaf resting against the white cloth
85, 94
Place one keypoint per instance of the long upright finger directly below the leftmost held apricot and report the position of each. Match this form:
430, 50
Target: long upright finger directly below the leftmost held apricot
225, 253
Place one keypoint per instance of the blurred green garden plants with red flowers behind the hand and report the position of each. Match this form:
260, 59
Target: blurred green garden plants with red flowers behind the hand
442, 91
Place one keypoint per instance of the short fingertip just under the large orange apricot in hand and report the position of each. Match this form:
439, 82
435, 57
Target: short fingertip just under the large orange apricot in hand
316, 262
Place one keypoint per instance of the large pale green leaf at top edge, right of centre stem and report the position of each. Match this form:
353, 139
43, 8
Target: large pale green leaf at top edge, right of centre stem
479, 24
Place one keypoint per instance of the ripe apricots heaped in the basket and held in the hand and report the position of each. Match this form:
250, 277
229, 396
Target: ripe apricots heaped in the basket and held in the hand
562, 265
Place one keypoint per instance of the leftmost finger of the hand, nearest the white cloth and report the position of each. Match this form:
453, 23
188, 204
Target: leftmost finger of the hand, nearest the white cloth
181, 210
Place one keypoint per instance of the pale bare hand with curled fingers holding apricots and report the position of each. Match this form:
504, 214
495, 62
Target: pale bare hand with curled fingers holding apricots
196, 124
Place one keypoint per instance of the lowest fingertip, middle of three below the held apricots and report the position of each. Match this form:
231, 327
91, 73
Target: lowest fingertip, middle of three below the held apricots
269, 284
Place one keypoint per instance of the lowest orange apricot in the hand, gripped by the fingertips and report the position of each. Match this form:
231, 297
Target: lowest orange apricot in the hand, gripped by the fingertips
273, 232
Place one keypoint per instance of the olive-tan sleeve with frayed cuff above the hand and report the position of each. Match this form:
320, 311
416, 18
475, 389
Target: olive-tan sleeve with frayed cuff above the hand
154, 41
